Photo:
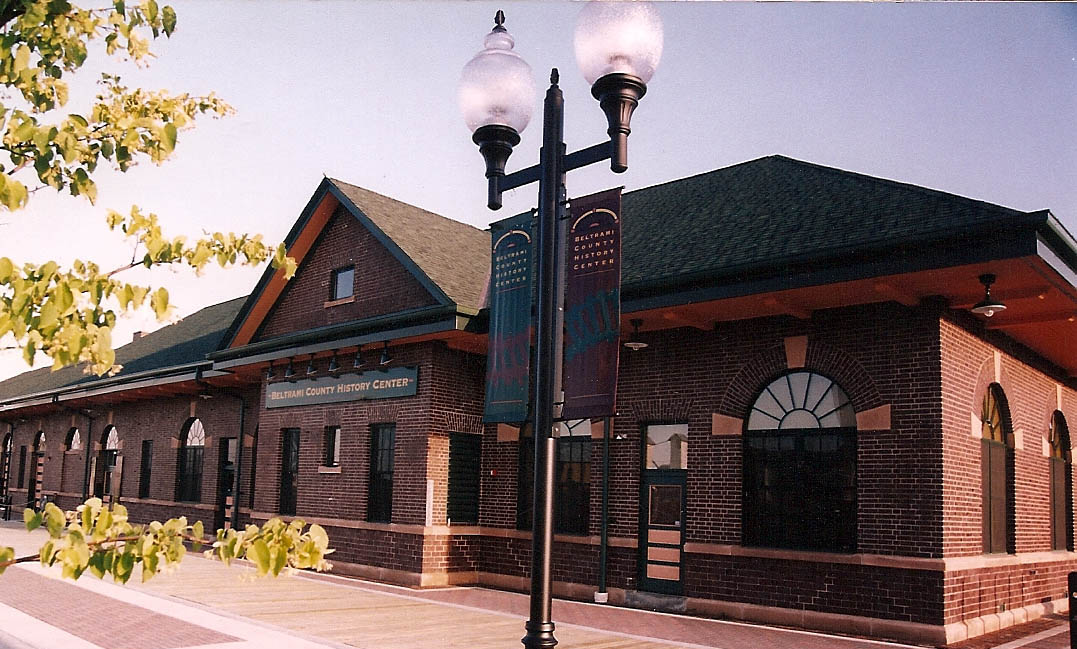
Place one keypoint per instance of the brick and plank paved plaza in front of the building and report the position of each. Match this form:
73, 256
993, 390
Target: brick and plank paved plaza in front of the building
207, 605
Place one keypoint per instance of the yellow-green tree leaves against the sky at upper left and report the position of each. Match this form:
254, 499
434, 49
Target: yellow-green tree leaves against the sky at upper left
68, 314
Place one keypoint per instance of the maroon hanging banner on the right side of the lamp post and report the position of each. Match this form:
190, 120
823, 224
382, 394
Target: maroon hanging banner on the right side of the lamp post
593, 306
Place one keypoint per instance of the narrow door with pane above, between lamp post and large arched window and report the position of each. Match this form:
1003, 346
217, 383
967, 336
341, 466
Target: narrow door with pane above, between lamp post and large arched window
663, 509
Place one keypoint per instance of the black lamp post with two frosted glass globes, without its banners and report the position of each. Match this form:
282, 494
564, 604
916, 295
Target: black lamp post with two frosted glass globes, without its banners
619, 46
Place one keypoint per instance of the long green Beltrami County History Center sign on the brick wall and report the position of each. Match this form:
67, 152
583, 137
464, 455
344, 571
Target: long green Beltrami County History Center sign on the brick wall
376, 385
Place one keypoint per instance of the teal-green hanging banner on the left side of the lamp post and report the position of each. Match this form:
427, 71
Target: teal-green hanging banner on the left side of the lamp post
510, 340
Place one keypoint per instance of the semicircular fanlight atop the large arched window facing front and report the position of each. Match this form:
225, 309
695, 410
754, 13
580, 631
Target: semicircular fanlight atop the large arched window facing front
802, 400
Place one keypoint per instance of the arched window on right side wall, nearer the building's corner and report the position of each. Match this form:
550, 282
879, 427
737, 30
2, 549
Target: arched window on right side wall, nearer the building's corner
997, 469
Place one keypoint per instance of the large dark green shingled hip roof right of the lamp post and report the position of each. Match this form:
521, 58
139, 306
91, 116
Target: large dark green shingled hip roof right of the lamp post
777, 210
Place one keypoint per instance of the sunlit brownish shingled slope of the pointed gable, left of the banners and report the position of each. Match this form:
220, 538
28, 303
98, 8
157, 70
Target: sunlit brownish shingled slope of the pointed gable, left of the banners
455, 256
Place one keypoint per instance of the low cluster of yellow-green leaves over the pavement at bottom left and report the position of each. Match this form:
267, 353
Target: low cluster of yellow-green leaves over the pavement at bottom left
101, 540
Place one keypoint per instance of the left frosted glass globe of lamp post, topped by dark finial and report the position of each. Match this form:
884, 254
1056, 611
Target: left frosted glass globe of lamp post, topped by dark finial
497, 87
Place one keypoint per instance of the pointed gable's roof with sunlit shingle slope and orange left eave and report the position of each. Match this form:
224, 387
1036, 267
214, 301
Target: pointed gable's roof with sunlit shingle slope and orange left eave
450, 259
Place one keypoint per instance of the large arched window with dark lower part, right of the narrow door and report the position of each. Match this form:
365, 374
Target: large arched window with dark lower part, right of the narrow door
801, 467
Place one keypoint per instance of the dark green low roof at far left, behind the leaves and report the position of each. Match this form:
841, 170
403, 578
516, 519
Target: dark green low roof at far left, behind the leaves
186, 343
